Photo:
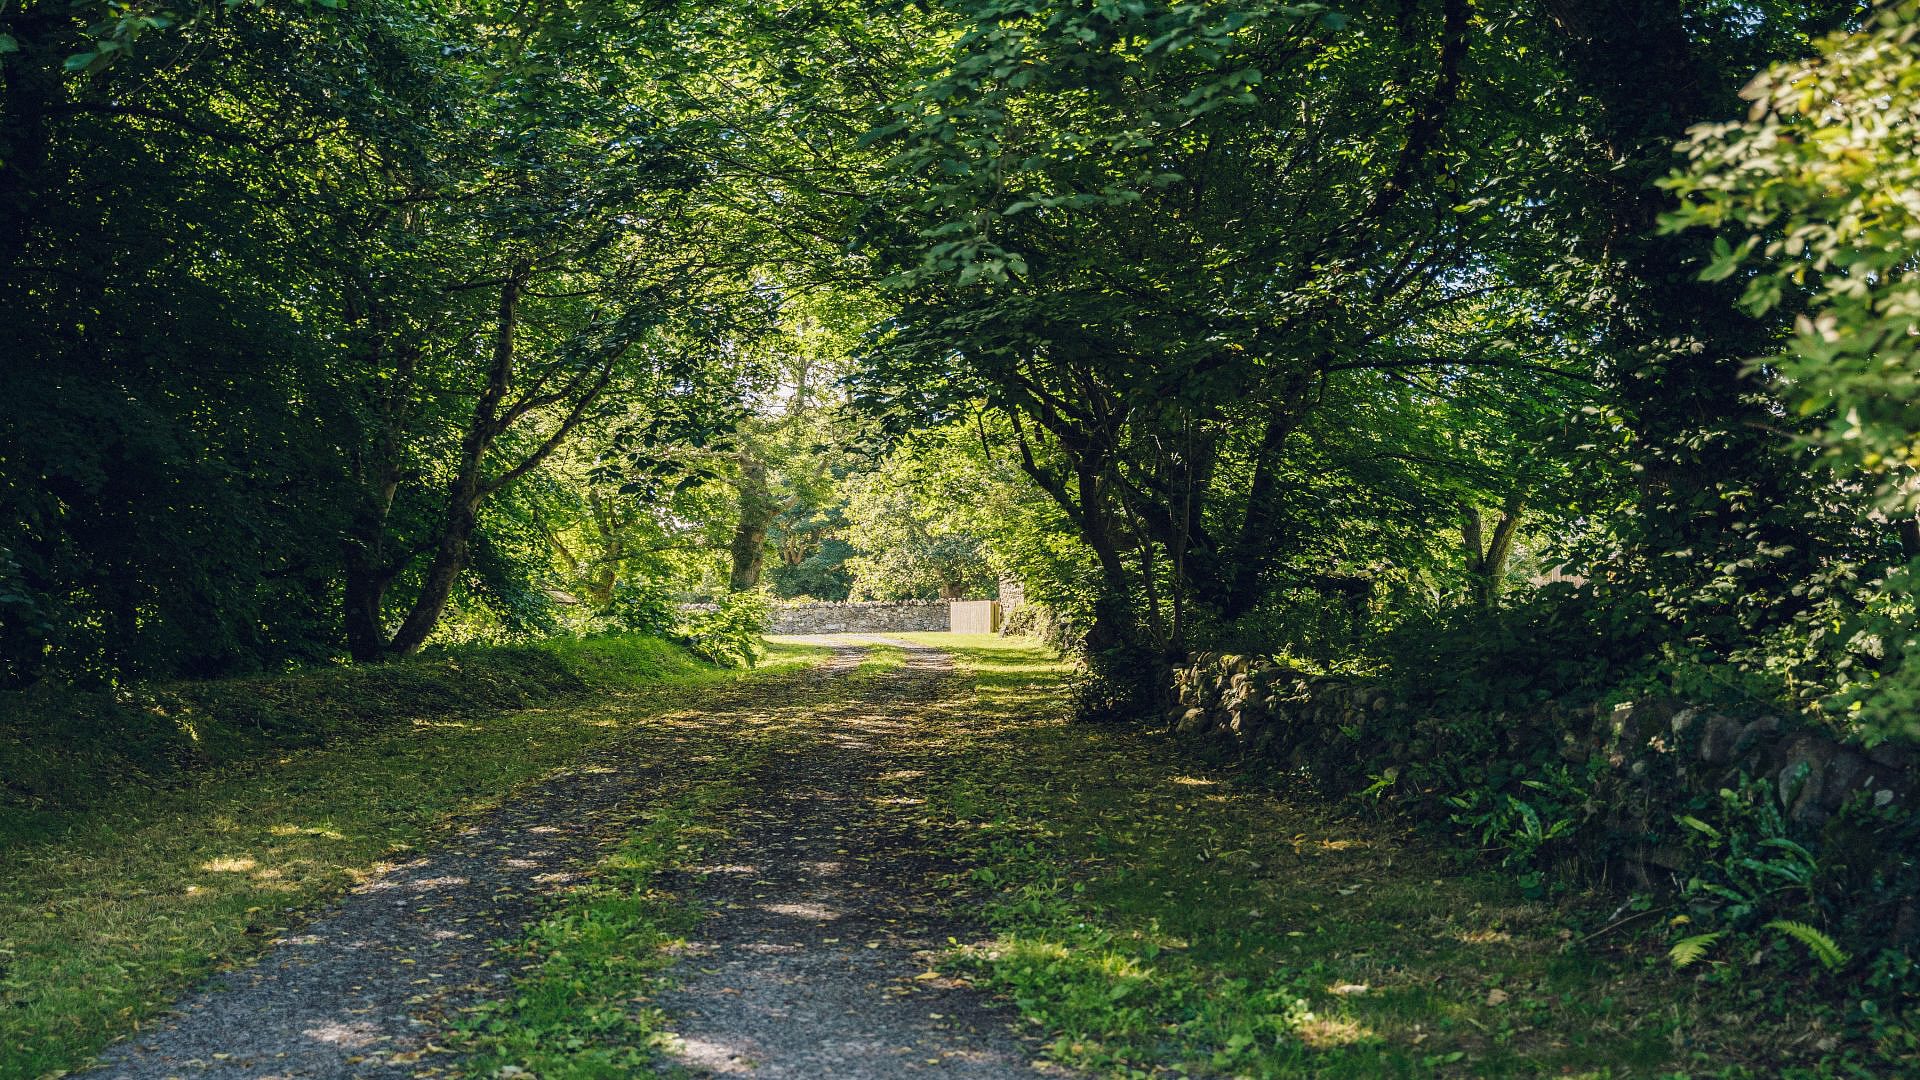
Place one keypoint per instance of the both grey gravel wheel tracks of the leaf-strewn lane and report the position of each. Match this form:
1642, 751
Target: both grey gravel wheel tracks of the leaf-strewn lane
807, 970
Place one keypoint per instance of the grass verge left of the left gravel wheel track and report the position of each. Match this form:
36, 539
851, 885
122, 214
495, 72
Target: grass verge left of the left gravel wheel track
126, 904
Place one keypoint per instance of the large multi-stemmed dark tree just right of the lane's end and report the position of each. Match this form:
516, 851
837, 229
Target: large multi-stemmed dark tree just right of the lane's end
1163, 237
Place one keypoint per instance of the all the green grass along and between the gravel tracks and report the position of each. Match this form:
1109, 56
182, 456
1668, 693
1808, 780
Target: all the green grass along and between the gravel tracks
1153, 916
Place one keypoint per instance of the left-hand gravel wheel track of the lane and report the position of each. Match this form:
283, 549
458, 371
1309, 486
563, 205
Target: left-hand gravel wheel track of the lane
362, 989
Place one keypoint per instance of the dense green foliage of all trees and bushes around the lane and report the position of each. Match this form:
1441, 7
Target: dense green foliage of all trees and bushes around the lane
1477, 347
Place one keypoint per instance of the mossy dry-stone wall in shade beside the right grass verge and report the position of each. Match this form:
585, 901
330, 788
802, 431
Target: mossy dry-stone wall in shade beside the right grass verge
1641, 766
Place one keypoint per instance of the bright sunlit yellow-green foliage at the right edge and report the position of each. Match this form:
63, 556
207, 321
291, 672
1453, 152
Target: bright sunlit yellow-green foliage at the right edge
1813, 199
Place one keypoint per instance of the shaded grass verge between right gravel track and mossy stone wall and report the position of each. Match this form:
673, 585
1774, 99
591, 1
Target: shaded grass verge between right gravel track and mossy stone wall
1157, 916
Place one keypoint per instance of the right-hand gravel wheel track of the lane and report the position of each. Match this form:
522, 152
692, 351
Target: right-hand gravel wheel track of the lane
817, 956
